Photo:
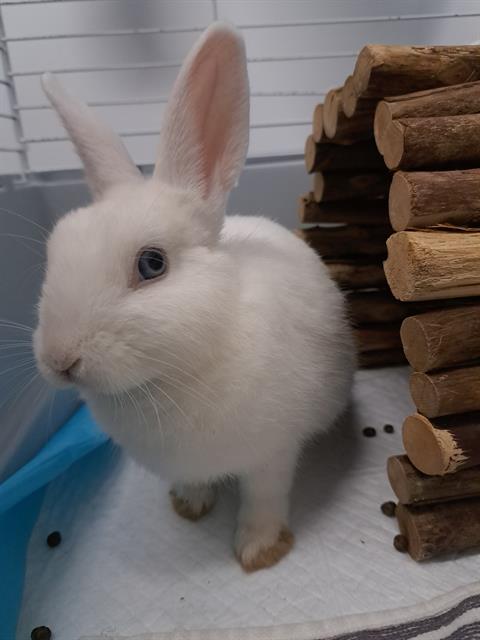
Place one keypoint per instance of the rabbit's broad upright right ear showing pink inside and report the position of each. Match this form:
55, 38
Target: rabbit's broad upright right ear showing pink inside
204, 137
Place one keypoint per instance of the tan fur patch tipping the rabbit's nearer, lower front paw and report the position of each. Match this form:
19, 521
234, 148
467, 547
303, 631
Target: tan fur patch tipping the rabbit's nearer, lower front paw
253, 554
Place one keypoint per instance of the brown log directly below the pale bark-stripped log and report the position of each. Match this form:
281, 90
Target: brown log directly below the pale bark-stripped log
442, 338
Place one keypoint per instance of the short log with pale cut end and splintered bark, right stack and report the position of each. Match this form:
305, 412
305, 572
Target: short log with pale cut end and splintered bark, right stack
443, 445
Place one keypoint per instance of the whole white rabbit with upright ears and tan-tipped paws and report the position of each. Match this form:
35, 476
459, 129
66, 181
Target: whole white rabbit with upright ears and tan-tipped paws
206, 346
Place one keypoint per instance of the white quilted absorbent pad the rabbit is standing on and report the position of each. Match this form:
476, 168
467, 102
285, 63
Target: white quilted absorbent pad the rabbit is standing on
129, 565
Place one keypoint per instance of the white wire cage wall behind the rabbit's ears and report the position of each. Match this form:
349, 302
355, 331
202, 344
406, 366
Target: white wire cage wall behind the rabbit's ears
27, 142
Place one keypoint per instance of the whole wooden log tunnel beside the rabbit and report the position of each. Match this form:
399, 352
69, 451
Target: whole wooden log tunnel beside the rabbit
422, 105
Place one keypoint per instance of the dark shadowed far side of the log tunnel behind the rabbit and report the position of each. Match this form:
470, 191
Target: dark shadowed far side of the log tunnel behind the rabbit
345, 218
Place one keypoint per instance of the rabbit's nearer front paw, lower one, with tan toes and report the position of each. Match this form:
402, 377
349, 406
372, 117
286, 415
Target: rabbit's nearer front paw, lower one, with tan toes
262, 547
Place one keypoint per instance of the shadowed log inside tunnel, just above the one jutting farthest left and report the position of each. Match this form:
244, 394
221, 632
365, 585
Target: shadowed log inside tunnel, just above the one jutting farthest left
343, 185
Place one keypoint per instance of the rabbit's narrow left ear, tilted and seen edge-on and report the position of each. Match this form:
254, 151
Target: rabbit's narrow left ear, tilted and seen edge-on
104, 157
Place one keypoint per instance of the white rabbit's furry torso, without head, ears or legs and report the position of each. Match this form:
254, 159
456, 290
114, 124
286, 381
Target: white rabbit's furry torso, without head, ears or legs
276, 369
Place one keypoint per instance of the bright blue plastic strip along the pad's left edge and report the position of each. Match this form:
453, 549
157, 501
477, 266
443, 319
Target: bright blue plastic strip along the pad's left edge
20, 501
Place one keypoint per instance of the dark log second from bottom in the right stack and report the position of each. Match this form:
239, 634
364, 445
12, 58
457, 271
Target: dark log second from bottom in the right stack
413, 487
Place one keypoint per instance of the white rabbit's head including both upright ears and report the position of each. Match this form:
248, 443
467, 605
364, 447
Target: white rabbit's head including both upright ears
139, 277
